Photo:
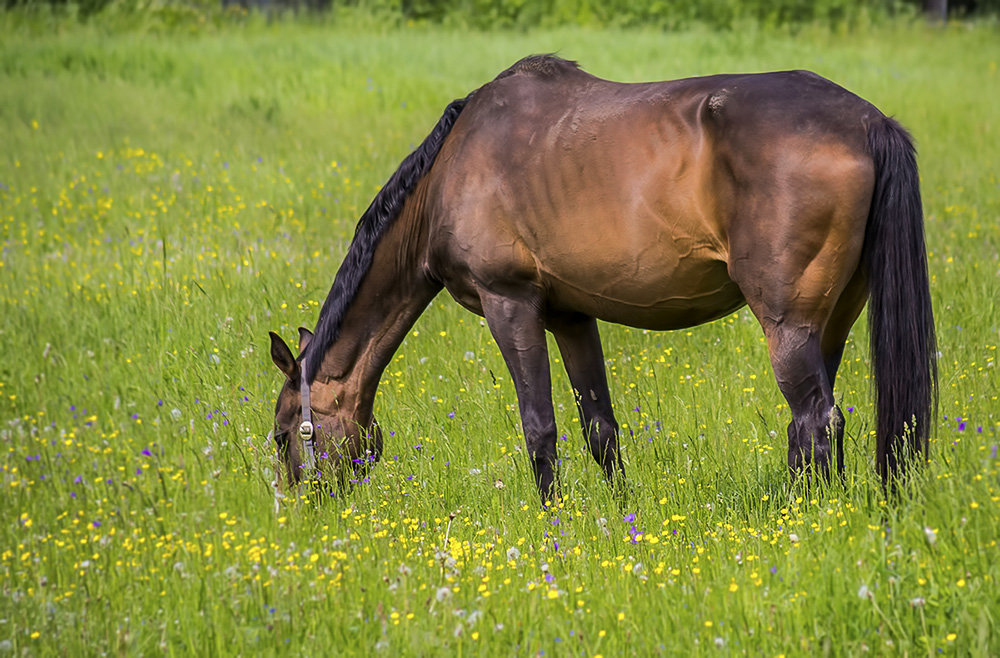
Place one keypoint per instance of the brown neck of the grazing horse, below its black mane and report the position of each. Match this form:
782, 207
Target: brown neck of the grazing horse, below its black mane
393, 294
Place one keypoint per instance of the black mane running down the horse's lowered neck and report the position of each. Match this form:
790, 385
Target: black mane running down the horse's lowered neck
384, 209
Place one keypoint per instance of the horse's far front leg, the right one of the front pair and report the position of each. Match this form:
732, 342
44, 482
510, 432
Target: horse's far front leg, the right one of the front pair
580, 345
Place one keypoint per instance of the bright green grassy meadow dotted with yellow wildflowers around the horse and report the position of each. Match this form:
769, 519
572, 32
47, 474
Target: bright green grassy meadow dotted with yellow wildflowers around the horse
169, 196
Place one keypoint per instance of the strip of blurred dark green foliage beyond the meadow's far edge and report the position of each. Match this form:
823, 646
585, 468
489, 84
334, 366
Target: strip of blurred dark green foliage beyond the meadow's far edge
493, 14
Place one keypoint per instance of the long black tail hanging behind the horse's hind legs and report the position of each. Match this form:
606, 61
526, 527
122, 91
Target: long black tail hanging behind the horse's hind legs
900, 318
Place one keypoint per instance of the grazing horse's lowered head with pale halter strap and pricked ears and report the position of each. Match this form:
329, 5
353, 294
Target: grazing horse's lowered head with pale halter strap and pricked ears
342, 443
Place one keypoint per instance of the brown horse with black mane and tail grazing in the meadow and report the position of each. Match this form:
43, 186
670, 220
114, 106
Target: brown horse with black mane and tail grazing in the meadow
549, 197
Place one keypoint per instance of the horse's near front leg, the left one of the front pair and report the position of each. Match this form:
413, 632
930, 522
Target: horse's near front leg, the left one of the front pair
519, 330
